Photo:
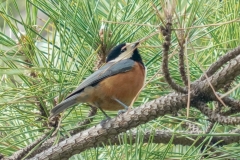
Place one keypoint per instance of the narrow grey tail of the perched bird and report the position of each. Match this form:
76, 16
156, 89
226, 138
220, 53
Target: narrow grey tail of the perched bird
64, 105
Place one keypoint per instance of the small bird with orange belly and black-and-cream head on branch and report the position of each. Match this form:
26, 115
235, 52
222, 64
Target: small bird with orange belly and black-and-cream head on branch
114, 86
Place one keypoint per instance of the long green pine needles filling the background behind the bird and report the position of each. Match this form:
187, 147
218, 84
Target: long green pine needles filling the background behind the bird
48, 47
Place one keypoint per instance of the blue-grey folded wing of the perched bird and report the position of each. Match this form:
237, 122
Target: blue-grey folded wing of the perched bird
109, 69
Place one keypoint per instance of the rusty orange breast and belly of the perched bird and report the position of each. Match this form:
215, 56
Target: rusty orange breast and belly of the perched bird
123, 86
